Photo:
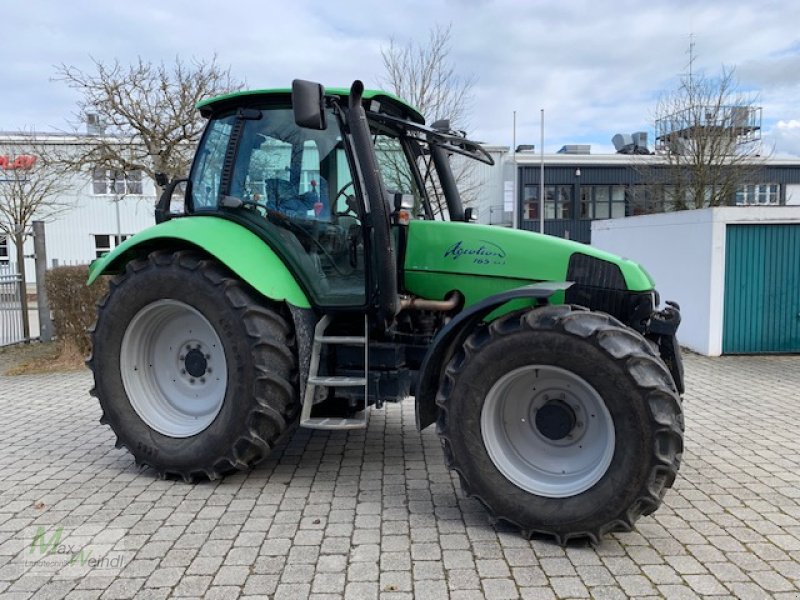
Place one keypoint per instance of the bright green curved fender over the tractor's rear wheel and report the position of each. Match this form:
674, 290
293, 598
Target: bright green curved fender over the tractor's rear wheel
243, 252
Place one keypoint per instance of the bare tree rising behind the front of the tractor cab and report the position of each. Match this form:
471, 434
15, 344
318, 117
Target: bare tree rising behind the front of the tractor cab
424, 75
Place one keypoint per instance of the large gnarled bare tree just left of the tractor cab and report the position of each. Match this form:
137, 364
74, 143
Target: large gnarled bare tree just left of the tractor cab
146, 112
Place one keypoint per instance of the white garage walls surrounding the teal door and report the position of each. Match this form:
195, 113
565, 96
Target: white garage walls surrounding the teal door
685, 253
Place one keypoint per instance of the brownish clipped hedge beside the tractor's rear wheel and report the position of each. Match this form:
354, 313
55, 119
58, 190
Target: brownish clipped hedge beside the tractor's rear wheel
73, 304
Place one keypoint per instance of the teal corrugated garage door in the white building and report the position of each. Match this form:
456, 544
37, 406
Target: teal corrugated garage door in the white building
762, 289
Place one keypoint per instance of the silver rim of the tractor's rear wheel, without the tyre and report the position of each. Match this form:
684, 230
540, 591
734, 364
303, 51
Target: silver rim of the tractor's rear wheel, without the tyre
173, 368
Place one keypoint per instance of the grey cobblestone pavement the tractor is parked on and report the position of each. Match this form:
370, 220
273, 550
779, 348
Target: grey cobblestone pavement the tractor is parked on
375, 514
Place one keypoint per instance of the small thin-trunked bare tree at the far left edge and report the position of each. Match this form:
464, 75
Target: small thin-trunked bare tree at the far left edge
32, 186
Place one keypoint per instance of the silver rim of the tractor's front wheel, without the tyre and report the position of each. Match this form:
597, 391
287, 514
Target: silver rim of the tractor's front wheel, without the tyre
547, 431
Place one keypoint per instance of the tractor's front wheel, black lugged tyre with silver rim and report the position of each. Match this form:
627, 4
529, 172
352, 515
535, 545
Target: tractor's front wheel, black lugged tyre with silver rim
561, 421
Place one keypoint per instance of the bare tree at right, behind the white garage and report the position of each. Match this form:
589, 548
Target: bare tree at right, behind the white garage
707, 133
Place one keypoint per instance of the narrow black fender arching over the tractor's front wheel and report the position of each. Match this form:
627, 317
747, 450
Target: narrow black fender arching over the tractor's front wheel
456, 332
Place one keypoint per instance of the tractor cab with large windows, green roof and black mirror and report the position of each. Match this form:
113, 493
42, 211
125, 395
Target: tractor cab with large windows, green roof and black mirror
295, 167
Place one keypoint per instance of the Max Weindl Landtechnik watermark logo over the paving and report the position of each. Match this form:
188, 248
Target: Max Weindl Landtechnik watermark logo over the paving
60, 549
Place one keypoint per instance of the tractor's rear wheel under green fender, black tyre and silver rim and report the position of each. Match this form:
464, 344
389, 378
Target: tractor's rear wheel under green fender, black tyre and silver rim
194, 374
